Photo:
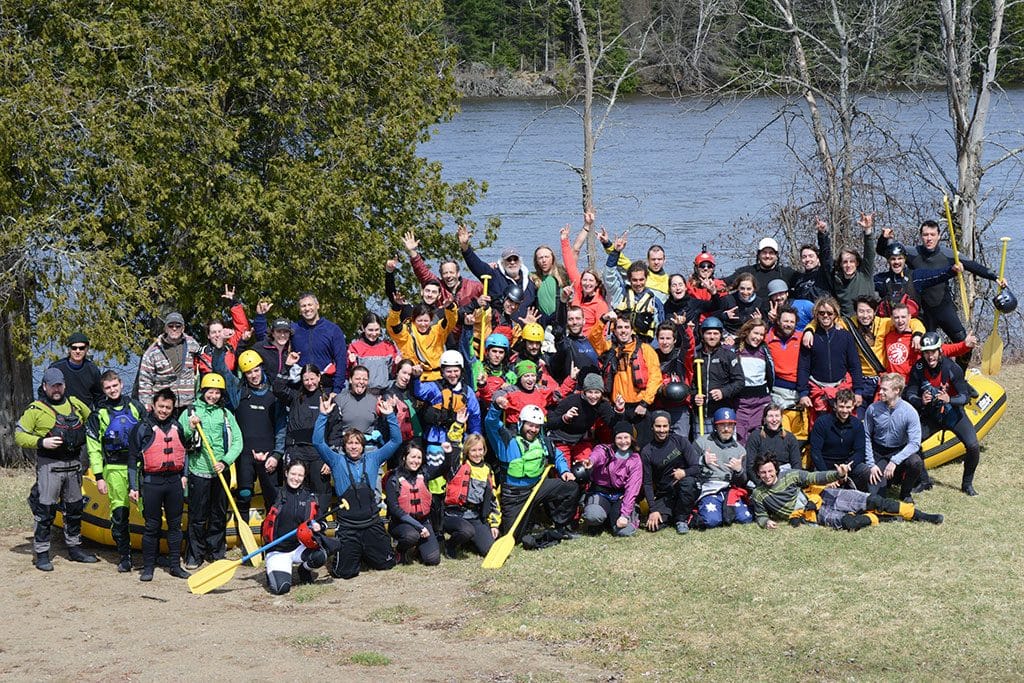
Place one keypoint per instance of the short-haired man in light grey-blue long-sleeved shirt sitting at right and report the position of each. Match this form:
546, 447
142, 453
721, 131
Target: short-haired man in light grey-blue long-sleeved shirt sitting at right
892, 440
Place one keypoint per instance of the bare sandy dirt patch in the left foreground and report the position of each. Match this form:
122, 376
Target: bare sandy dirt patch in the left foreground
90, 623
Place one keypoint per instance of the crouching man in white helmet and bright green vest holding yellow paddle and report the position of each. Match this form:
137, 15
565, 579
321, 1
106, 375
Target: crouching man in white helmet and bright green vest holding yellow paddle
524, 453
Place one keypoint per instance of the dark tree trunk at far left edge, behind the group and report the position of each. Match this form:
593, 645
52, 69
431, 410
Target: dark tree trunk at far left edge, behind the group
16, 383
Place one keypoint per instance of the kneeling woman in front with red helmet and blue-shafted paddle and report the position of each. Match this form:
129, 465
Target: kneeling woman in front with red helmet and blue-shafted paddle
294, 507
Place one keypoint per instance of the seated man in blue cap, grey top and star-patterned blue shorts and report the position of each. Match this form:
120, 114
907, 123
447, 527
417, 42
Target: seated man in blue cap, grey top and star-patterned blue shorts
723, 475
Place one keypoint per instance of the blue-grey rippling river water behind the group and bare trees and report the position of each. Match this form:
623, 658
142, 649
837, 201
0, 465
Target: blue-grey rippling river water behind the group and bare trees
689, 168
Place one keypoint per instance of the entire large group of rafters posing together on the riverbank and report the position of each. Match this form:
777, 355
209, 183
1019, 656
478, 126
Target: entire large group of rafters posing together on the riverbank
635, 398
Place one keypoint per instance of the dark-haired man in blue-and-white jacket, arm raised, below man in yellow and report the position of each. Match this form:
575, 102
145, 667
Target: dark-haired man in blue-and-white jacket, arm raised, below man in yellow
631, 298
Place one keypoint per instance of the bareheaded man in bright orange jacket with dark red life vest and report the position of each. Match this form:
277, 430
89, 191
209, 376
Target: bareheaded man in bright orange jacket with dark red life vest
631, 372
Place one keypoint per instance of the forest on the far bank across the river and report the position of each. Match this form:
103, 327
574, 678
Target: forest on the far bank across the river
701, 47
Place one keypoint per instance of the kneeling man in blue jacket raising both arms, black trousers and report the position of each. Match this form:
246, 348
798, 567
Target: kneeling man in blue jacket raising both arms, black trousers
361, 530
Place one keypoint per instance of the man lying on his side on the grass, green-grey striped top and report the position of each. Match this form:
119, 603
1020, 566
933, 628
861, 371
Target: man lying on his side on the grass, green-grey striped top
783, 499
